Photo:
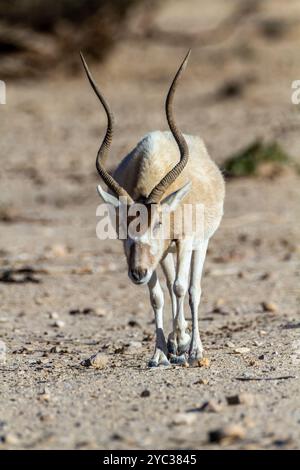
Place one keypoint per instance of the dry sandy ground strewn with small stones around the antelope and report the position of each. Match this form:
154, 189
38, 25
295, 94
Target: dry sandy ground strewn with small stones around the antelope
65, 295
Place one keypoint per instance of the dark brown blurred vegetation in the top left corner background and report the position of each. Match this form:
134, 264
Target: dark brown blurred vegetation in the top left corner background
36, 35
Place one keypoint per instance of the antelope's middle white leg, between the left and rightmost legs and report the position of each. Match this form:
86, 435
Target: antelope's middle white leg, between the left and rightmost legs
179, 339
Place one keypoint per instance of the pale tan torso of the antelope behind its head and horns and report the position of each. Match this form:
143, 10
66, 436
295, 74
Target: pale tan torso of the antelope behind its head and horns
155, 155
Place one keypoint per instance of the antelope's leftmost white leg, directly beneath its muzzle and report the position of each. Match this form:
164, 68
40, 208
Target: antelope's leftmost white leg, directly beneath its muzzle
157, 302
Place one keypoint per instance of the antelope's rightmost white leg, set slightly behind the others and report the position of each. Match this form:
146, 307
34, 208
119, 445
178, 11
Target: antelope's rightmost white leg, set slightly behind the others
198, 258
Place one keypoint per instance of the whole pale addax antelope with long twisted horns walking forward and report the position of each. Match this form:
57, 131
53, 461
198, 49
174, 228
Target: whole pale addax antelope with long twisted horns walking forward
162, 171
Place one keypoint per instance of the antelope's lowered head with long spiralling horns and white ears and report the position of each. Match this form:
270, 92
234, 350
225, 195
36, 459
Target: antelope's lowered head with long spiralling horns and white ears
146, 246
